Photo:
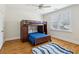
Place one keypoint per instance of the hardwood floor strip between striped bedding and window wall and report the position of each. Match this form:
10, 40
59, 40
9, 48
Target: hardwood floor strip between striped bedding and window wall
71, 46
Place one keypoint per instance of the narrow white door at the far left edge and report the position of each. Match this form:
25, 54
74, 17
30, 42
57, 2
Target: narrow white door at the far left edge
2, 17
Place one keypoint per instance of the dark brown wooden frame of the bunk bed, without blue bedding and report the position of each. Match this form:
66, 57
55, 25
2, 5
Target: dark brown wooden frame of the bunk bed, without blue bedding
41, 27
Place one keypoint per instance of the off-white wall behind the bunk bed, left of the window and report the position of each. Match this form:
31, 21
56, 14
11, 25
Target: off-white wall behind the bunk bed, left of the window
14, 14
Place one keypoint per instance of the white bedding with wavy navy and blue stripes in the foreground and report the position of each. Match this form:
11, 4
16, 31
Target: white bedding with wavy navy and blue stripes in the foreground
50, 48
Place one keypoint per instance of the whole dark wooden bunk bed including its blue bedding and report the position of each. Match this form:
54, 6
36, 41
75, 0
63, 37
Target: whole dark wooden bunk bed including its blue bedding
41, 29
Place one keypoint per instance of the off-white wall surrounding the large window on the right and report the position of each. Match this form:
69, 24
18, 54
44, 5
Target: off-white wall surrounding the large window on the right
68, 36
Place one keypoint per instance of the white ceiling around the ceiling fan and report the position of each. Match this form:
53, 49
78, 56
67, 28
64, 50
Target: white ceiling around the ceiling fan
53, 7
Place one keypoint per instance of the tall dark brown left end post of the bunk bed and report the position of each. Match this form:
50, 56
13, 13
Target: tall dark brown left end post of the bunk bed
23, 31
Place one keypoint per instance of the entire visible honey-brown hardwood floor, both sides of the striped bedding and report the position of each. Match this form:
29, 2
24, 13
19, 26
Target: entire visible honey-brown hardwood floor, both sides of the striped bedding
17, 47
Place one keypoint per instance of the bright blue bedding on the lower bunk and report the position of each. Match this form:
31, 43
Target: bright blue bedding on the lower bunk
36, 35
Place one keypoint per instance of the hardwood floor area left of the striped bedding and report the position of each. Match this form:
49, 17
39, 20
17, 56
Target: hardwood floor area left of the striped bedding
16, 47
